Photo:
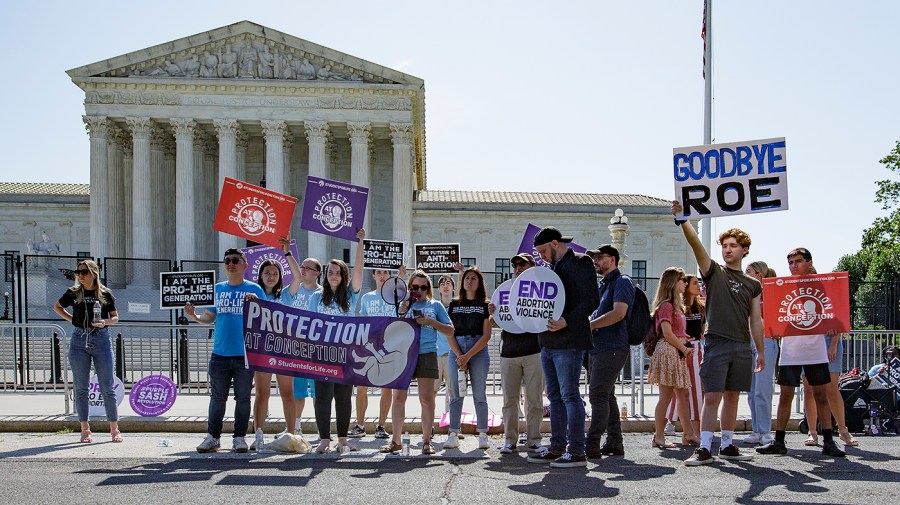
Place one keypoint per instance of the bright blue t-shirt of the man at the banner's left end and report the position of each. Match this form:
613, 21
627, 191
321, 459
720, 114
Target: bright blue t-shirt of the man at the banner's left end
228, 335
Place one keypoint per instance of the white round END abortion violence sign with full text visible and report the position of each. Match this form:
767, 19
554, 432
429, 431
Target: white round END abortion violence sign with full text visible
535, 297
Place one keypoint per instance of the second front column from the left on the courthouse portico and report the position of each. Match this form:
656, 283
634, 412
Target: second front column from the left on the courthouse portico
142, 222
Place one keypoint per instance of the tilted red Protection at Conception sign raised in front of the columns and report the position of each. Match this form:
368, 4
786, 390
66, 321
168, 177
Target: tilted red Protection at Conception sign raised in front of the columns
254, 213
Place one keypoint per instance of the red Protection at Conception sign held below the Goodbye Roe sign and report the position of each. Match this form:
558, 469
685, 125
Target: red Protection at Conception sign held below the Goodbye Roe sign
806, 304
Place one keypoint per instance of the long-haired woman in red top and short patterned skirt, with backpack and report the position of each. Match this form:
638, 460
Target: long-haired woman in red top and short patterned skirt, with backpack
668, 366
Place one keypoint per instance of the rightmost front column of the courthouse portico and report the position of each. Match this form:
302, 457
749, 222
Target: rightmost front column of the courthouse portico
401, 135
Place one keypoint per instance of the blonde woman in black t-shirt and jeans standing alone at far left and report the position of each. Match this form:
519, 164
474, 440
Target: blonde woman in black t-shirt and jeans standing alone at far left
93, 310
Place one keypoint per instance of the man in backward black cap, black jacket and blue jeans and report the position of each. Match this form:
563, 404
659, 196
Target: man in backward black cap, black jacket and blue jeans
562, 349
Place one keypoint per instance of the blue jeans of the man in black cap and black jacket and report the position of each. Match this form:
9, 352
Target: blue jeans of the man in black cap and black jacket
562, 370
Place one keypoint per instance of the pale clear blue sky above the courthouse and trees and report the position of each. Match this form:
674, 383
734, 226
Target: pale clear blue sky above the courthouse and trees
536, 96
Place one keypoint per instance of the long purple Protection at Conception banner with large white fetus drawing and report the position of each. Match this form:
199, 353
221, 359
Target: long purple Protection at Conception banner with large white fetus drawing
363, 351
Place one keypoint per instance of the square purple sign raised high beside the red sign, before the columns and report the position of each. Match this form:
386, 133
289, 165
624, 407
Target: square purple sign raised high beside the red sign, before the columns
334, 208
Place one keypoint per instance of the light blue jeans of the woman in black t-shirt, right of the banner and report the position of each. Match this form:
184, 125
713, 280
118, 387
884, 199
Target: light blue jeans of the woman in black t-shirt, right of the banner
478, 369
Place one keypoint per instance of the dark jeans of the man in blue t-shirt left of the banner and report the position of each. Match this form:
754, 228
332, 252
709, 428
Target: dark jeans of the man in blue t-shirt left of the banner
222, 371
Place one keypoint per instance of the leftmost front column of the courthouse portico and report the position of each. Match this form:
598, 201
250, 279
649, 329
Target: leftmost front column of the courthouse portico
98, 127
